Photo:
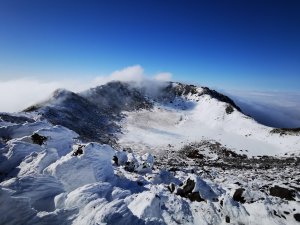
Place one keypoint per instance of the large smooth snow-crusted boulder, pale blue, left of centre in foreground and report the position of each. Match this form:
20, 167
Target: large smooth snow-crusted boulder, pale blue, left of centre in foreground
91, 166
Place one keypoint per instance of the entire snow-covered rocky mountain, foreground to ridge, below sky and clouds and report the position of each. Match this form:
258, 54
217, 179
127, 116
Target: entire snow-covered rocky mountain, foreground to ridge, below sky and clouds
56, 169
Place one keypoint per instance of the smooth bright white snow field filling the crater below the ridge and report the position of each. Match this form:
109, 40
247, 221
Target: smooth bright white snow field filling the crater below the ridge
195, 118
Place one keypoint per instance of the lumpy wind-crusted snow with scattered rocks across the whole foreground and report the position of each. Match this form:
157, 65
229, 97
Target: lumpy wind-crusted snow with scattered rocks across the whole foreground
54, 178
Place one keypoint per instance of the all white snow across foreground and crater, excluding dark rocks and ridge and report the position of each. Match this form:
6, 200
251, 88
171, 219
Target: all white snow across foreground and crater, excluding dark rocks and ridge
67, 181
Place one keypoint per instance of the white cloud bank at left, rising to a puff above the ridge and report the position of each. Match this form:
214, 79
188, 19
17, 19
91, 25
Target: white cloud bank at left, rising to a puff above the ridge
18, 94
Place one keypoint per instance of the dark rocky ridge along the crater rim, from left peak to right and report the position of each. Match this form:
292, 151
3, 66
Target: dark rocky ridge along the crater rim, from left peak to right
102, 106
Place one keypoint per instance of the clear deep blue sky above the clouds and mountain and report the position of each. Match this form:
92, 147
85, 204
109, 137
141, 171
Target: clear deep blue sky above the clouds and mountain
231, 43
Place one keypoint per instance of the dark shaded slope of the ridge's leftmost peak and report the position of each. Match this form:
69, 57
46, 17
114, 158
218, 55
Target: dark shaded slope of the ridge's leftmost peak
77, 113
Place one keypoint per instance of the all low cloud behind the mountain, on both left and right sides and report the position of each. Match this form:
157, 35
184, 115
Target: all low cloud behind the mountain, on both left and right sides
275, 109
